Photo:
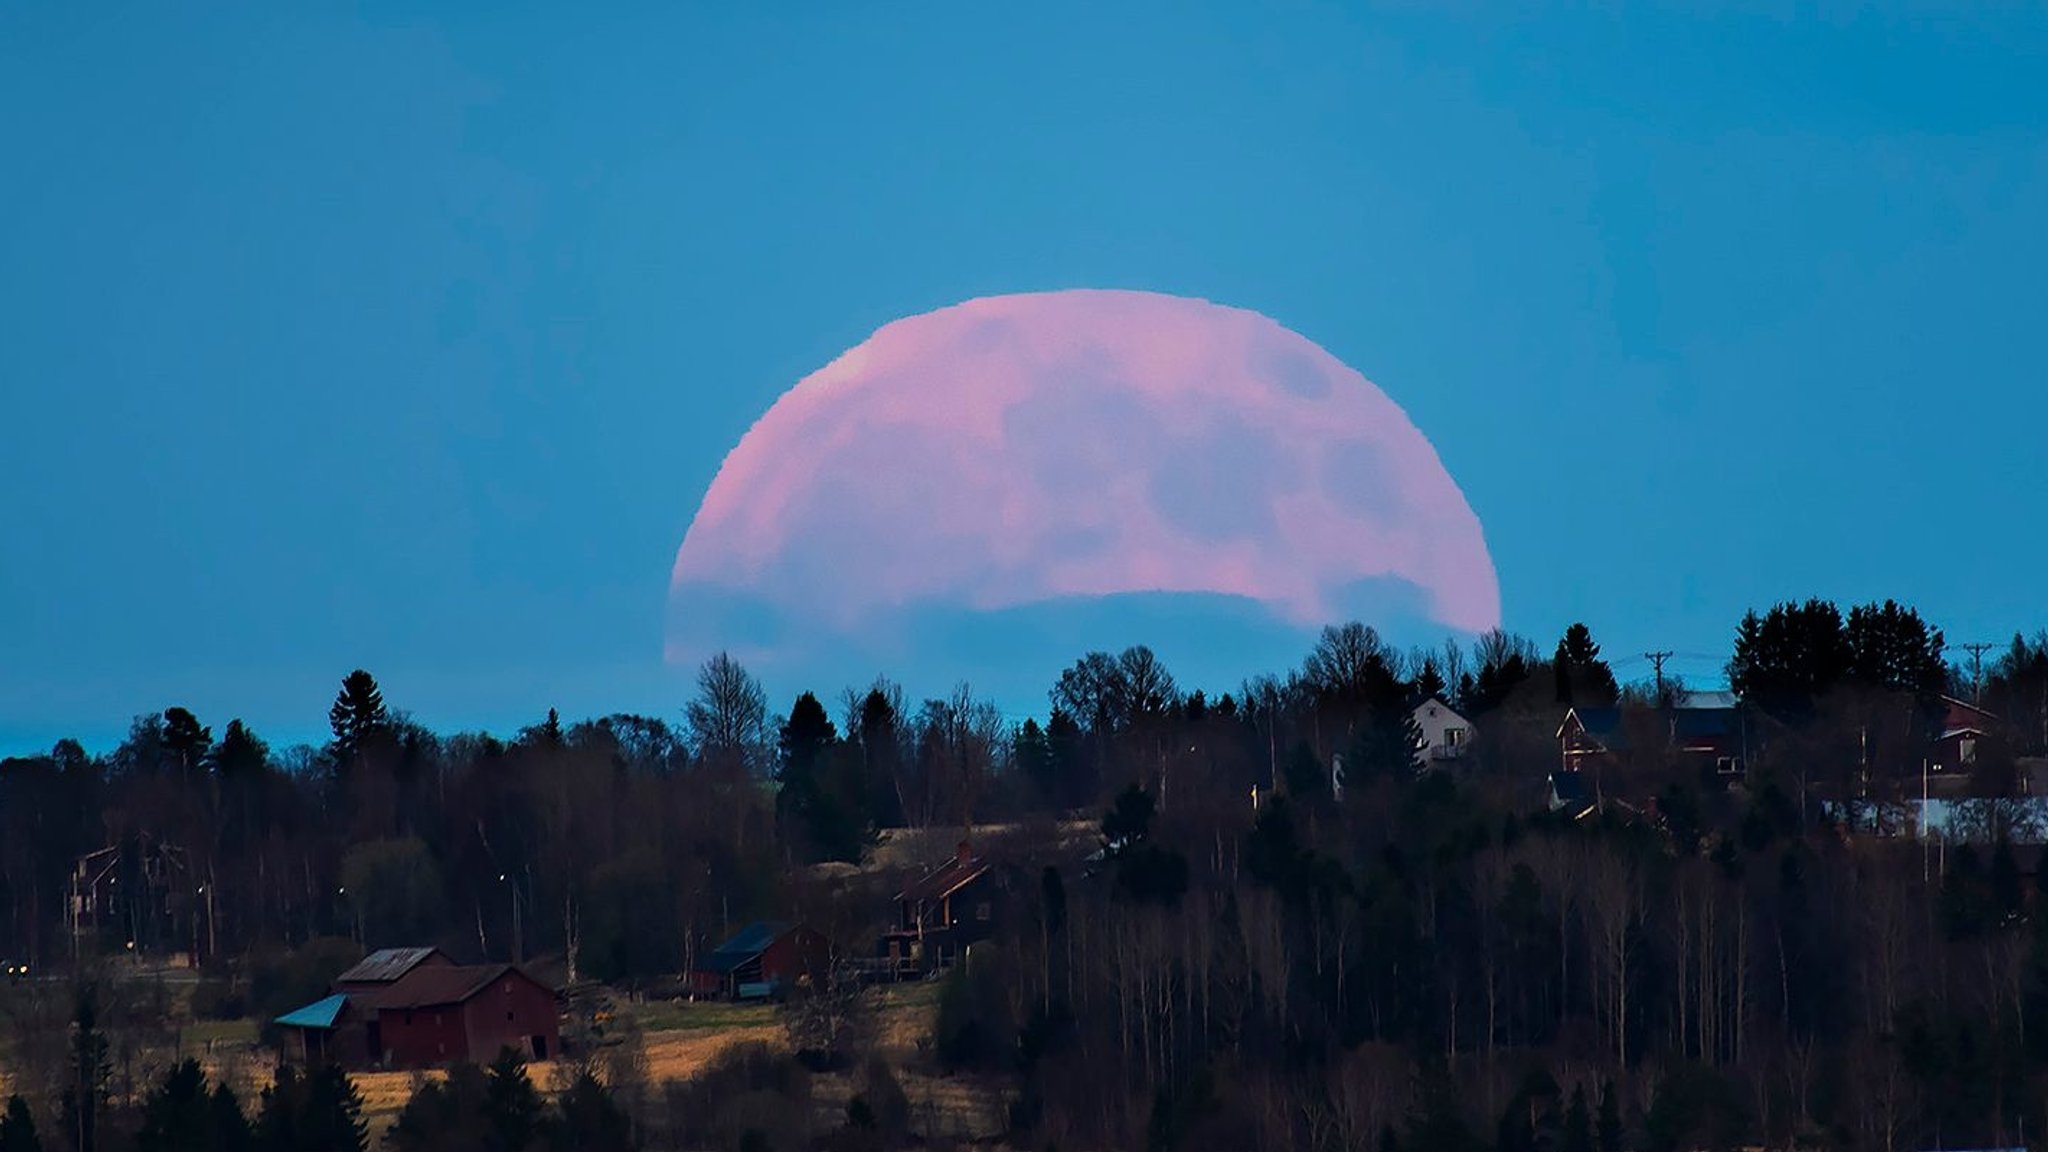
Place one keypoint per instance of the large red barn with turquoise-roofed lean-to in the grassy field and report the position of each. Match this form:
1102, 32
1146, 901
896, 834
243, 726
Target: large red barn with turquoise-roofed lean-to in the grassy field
417, 1010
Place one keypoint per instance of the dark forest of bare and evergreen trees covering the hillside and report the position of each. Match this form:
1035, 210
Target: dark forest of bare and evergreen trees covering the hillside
1279, 930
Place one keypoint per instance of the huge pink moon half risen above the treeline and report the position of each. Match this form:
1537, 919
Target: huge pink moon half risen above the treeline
1037, 448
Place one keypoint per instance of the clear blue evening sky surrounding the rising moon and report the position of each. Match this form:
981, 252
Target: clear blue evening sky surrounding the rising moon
411, 341
